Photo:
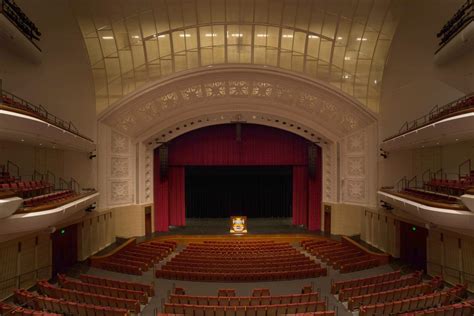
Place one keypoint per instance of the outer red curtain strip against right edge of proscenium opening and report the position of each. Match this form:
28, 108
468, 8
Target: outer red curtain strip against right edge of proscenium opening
315, 195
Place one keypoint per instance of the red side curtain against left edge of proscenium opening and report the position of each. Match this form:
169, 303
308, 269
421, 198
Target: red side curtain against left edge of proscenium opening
161, 197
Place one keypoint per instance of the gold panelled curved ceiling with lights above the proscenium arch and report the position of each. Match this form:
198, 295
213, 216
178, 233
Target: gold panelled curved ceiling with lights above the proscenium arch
344, 43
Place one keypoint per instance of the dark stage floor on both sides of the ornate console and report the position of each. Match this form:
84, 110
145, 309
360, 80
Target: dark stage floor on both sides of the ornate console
221, 226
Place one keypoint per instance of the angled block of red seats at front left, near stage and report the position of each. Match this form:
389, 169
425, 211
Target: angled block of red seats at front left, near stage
135, 258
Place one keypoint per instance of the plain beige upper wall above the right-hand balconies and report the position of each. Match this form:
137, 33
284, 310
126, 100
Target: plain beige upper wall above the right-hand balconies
412, 83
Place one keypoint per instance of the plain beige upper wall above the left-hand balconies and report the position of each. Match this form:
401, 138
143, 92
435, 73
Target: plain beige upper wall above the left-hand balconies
62, 82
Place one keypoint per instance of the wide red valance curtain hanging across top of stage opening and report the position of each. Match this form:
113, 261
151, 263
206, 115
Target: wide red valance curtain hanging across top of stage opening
217, 146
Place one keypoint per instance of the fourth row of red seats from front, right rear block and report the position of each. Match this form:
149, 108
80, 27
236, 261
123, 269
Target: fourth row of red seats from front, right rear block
407, 305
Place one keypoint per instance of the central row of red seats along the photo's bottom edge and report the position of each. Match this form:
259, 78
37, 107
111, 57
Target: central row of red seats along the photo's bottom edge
263, 310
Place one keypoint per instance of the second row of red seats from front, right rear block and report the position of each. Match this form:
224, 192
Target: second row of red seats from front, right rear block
412, 279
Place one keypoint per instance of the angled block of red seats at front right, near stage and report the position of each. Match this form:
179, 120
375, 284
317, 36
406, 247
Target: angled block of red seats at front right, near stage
342, 256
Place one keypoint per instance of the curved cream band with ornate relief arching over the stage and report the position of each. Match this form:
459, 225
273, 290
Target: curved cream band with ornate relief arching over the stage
237, 93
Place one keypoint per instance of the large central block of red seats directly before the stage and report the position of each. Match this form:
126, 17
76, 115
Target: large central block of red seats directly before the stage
246, 260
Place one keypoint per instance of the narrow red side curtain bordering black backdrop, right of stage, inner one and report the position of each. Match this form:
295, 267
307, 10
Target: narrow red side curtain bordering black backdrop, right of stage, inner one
300, 195
